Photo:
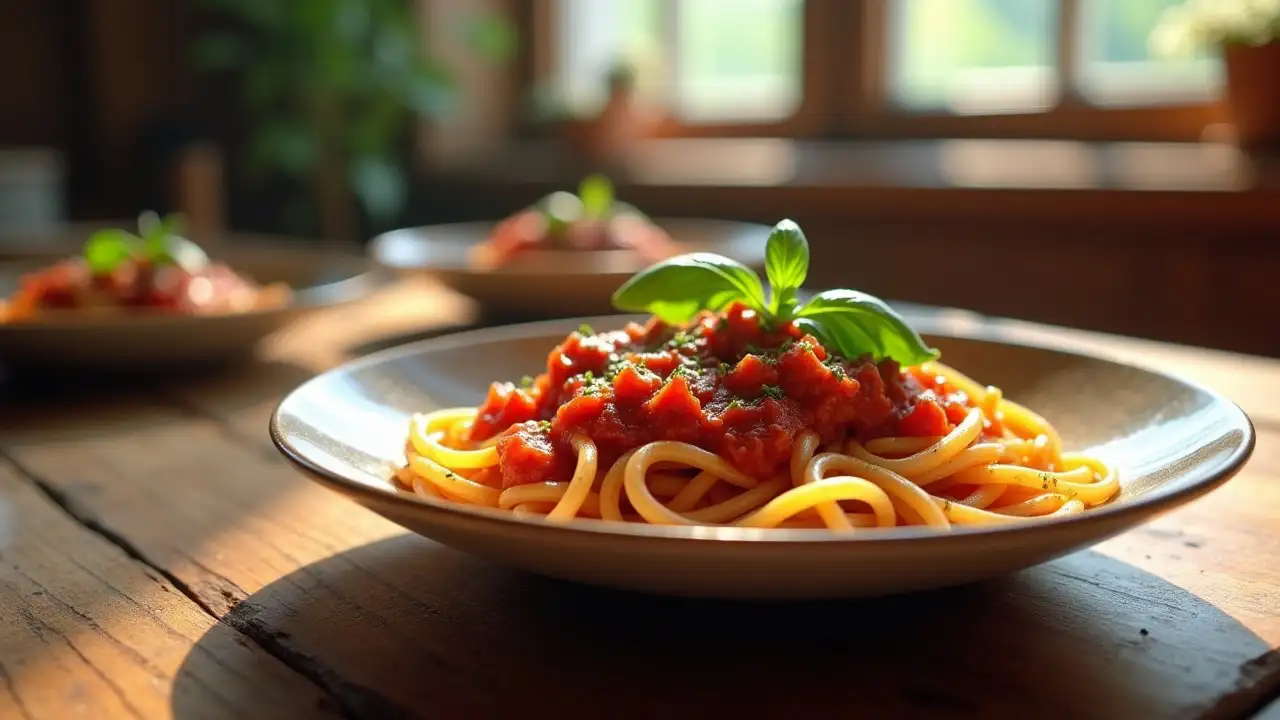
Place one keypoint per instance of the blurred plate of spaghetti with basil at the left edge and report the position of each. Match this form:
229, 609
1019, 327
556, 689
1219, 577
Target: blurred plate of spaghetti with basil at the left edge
156, 298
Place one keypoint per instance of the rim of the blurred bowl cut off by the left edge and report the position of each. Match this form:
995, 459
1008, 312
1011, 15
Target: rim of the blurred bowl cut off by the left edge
363, 281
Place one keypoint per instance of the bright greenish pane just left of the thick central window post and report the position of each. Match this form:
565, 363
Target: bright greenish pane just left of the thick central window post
738, 60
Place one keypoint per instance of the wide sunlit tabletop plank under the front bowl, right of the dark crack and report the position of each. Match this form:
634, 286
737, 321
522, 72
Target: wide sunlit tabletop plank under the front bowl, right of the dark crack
397, 625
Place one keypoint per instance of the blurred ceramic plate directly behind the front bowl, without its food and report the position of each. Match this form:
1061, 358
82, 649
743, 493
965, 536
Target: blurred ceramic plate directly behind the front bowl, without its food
551, 284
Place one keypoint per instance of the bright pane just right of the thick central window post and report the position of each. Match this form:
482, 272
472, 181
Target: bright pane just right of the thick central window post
973, 57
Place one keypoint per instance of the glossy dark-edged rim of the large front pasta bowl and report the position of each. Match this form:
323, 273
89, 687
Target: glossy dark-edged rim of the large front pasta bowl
1126, 514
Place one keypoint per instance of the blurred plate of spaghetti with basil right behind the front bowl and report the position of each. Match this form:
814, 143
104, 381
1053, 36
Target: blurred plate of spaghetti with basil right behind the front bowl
564, 256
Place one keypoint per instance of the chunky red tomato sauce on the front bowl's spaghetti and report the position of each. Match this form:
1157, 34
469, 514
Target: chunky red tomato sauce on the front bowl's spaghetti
725, 384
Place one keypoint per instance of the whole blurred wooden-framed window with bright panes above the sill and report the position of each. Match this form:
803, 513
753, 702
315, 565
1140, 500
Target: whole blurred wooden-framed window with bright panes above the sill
1054, 69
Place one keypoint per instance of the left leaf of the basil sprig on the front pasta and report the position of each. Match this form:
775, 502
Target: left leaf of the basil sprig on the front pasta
679, 289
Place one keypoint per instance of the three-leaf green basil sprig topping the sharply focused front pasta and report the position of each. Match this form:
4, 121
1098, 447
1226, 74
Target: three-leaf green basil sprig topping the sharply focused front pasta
848, 322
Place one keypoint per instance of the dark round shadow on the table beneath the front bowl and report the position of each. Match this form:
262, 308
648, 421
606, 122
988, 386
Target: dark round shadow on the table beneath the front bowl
409, 628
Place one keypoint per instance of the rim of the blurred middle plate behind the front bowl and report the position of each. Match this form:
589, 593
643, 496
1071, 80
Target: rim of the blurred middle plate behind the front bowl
566, 262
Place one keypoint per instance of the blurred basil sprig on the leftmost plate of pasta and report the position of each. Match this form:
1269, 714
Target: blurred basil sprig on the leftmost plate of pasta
158, 241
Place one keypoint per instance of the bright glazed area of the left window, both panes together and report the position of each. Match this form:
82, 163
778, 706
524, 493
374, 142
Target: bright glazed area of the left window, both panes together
708, 61
